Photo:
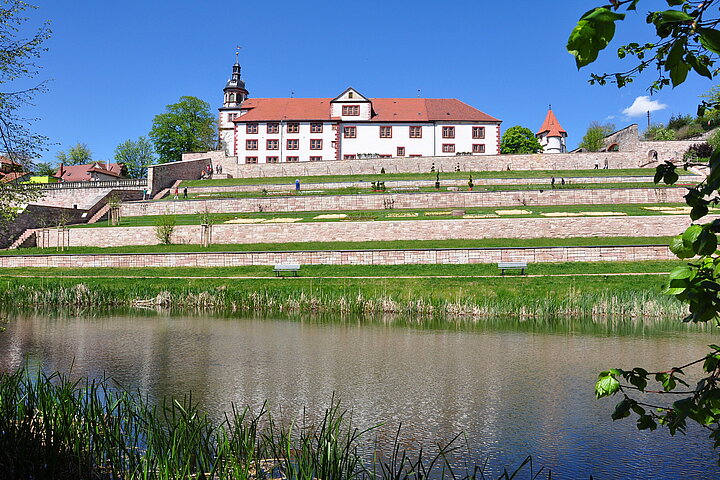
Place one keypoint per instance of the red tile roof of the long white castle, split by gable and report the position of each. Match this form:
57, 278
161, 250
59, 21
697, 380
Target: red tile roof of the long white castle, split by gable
386, 110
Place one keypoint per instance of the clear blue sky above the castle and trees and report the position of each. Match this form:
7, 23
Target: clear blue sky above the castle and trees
112, 66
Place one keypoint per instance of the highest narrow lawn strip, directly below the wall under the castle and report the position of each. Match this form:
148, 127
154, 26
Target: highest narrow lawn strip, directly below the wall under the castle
647, 172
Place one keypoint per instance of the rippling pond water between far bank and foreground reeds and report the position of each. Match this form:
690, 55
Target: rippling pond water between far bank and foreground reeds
514, 389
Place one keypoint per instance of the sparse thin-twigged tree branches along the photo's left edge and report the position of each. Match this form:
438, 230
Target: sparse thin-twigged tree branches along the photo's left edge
17, 69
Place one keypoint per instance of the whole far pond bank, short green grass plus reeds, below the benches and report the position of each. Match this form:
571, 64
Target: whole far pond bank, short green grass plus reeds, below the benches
477, 298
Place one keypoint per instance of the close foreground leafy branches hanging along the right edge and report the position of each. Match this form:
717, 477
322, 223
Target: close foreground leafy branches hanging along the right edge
687, 39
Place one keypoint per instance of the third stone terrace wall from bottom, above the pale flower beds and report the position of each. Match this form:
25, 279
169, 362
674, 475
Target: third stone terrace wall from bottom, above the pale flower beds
408, 200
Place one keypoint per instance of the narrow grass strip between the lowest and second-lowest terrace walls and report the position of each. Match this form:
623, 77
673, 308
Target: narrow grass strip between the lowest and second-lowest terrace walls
325, 246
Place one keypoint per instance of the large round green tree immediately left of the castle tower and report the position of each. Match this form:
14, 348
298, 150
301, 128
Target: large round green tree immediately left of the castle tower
187, 126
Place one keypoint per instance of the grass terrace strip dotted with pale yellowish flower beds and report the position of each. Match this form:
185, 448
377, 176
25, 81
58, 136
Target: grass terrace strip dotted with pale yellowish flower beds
407, 214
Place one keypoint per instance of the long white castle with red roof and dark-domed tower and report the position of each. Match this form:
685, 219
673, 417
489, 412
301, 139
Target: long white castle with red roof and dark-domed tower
277, 130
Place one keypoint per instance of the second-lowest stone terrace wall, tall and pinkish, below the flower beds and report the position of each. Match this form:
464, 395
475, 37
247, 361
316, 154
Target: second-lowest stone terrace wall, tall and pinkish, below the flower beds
565, 227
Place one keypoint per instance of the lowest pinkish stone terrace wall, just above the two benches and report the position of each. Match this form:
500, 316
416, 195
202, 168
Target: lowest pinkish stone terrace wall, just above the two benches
346, 257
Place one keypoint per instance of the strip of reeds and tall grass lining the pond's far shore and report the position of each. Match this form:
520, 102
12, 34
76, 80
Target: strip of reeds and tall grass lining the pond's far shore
599, 303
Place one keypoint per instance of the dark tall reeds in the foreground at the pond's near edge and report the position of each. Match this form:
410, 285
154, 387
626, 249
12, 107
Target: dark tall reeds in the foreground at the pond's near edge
54, 428
